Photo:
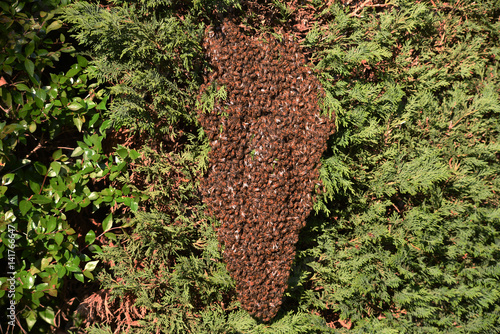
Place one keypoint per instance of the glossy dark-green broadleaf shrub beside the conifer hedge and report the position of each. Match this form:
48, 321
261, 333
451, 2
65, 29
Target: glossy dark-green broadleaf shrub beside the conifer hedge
51, 161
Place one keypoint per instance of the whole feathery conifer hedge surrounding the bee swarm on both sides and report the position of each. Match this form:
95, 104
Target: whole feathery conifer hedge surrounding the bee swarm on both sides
405, 237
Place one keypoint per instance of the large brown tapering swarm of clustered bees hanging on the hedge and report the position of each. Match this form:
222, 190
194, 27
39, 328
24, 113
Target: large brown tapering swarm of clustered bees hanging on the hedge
266, 141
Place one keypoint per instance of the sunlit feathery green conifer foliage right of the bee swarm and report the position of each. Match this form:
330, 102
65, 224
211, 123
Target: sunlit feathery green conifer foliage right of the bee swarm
409, 241
